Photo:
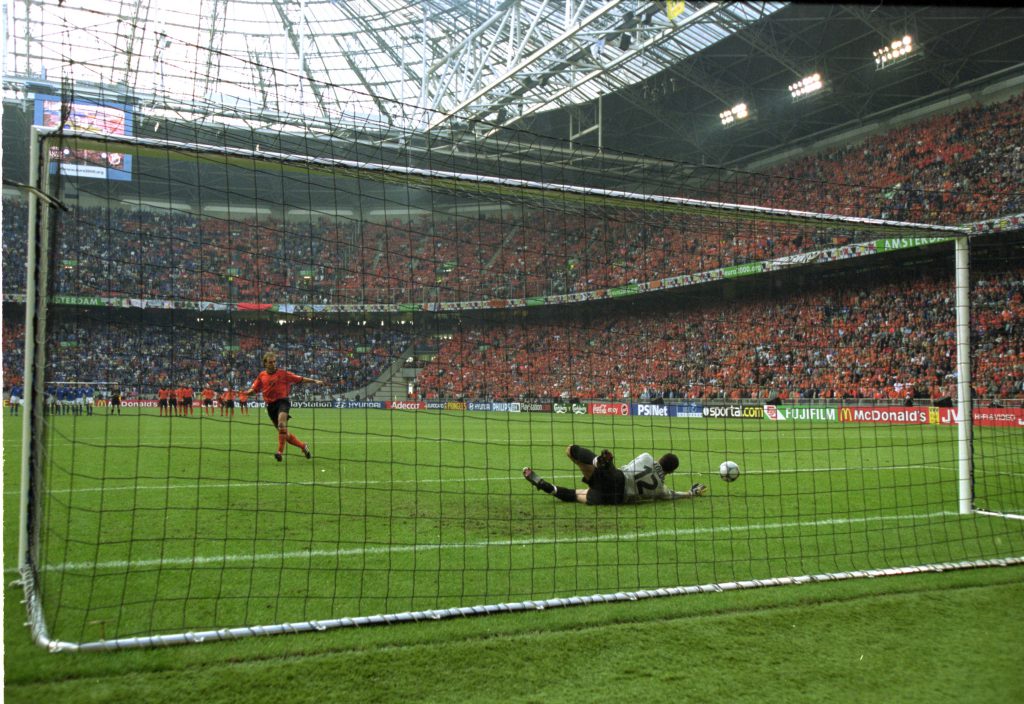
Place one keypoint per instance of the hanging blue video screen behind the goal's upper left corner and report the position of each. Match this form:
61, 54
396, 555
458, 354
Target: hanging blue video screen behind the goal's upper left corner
86, 116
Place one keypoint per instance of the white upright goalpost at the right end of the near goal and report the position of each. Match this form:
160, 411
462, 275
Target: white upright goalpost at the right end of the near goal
964, 402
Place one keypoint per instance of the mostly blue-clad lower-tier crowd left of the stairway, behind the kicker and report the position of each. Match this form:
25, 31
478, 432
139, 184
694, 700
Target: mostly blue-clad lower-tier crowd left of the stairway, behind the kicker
144, 357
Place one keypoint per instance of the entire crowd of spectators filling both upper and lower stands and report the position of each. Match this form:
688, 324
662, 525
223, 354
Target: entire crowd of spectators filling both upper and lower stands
889, 341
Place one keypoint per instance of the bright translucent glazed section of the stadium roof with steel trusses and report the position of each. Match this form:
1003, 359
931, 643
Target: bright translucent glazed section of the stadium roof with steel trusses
377, 66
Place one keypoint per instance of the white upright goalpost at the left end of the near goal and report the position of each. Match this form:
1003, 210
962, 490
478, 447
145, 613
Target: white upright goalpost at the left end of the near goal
35, 332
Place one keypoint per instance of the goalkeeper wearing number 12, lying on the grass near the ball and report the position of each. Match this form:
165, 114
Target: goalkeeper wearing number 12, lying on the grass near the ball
642, 480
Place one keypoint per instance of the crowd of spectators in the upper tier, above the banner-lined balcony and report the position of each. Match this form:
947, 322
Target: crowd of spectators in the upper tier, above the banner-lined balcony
949, 169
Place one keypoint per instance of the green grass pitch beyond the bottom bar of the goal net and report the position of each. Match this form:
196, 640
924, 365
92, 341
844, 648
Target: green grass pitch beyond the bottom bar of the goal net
162, 525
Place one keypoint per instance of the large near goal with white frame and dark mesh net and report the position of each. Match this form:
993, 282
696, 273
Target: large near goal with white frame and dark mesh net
468, 323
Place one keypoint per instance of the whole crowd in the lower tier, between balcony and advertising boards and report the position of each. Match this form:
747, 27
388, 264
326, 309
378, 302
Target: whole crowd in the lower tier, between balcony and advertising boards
892, 341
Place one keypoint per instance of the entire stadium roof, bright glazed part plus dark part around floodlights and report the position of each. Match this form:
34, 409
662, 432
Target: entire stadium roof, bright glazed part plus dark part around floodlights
417, 80
